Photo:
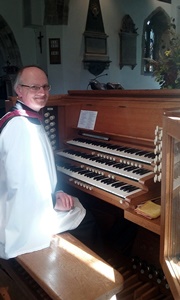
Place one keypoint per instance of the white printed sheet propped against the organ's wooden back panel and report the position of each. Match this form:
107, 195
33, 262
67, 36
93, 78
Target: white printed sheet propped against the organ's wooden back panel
87, 119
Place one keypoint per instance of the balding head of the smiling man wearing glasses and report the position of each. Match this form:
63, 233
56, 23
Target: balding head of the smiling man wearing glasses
31, 86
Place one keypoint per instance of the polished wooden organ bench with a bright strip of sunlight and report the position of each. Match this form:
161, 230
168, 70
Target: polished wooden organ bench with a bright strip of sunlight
68, 270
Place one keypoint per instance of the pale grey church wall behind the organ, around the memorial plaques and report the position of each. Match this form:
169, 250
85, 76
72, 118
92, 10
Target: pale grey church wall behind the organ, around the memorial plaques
70, 74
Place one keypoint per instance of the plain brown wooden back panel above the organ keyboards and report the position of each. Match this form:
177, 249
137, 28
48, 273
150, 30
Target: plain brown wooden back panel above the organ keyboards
132, 114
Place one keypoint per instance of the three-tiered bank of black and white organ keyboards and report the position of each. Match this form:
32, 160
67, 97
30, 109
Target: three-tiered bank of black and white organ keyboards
121, 171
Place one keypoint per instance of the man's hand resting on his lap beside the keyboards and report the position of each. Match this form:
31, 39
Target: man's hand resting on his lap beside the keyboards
64, 202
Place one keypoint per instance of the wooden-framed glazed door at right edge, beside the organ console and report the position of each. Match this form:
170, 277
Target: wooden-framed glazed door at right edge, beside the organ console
169, 251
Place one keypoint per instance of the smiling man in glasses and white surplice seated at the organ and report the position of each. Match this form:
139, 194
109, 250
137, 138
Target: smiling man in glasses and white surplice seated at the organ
28, 176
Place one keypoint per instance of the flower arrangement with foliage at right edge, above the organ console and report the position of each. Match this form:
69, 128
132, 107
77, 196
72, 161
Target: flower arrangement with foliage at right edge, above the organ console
166, 69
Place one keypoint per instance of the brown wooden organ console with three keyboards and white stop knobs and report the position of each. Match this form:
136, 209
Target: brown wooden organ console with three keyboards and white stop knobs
108, 144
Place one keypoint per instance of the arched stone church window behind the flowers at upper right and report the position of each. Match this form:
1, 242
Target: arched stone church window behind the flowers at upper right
155, 26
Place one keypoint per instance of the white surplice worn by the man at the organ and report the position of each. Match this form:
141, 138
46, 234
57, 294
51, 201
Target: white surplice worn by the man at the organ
27, 181
